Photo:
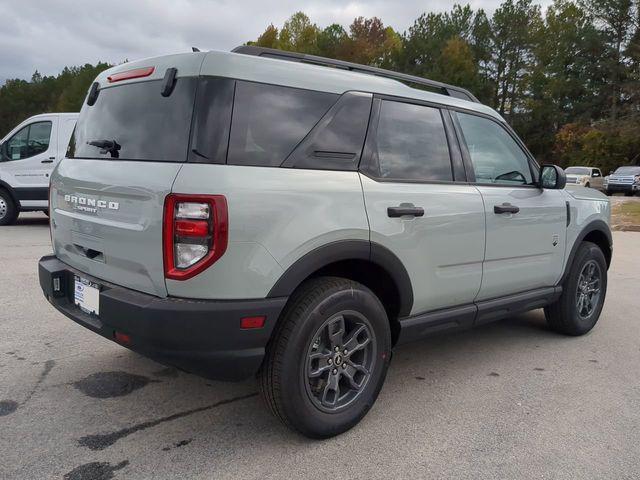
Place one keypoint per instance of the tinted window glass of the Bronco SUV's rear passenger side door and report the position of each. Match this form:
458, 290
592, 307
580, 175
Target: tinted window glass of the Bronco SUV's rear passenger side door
411, 143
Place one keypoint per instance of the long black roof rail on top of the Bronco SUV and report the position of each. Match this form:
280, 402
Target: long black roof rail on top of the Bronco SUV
444, 88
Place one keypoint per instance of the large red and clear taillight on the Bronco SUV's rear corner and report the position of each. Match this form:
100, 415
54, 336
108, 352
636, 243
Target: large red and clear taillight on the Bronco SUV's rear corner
195, 233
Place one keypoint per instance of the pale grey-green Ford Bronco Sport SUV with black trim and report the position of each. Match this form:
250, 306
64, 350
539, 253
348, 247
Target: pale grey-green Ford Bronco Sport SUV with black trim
295, 217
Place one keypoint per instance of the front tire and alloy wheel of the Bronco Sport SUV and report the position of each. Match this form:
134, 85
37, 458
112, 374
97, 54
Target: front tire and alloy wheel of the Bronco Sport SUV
570, 316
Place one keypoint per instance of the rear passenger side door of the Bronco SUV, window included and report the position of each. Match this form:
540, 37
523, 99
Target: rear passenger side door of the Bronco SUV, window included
419, 205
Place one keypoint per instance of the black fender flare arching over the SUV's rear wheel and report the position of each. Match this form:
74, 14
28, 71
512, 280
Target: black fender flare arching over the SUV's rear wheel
341, 250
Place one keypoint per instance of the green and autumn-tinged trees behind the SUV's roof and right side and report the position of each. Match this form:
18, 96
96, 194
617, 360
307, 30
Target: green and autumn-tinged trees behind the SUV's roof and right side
567, 79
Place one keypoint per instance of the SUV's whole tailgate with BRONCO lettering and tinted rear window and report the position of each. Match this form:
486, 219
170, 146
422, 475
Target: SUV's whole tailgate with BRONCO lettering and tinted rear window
108, 195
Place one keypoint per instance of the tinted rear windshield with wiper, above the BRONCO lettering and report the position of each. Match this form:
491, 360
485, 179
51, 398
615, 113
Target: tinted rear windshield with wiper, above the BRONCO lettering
136, 122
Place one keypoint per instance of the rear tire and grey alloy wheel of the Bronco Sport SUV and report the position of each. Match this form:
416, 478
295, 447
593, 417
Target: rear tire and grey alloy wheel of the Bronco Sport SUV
302, 343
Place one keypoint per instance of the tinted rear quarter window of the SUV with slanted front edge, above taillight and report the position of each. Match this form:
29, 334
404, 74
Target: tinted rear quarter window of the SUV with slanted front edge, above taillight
269, 121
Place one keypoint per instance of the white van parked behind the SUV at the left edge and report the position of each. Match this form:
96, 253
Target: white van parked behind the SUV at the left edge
28, 155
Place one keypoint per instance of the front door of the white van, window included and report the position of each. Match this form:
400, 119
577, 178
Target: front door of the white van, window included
28, 156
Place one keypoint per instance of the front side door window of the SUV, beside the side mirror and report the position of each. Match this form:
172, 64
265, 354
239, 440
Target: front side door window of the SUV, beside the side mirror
495, 155
